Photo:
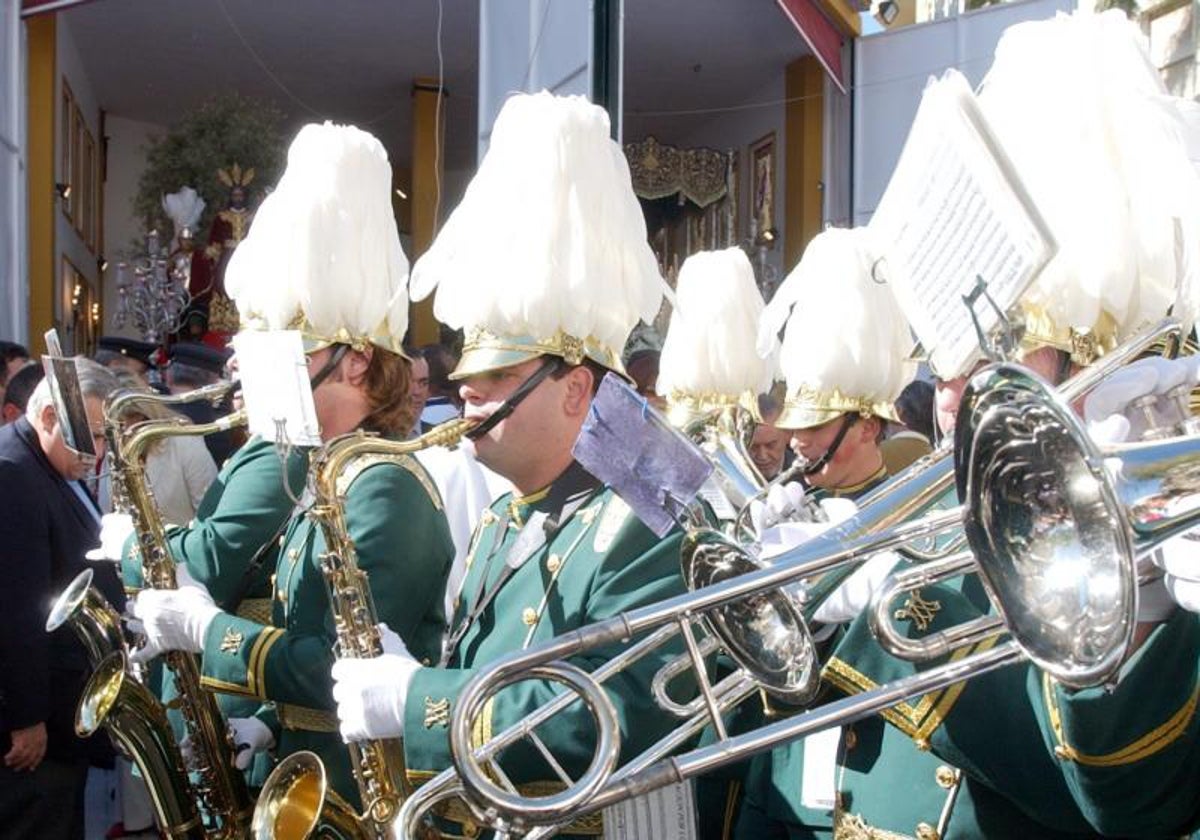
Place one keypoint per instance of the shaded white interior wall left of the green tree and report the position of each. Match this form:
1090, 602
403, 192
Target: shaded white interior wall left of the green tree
127, 160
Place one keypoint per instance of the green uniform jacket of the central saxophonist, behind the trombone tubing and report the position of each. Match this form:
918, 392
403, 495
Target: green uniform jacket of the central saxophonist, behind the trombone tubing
601, 562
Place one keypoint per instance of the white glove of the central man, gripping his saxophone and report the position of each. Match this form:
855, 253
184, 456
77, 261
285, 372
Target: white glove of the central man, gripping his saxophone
371, 693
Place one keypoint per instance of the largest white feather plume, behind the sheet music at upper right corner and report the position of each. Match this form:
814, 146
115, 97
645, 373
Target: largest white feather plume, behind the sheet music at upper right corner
1084, 116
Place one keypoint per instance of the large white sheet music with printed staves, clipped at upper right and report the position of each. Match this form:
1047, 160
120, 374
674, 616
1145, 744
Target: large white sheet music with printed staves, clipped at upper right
955, 212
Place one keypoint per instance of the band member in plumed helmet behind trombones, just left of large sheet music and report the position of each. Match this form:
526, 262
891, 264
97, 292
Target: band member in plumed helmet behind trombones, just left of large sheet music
844, 352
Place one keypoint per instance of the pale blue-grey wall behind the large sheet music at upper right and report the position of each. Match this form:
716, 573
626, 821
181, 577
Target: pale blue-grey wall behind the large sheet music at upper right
891, 71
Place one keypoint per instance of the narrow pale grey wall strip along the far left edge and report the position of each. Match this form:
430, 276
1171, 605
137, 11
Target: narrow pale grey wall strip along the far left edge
14, 179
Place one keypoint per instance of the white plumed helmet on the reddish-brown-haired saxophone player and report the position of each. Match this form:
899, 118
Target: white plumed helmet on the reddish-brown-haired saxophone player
323, 255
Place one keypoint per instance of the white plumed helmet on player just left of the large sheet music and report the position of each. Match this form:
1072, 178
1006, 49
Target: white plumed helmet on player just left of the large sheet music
847, 341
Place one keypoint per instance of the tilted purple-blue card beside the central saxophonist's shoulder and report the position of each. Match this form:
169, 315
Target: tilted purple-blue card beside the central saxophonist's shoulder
631, 447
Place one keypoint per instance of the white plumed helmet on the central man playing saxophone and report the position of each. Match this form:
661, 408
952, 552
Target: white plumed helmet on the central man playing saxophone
548, 251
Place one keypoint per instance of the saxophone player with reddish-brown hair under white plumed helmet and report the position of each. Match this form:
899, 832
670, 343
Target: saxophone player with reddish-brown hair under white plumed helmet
345, 290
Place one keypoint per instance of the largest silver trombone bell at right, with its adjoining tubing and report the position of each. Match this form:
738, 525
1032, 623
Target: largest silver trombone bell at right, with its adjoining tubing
1058, 527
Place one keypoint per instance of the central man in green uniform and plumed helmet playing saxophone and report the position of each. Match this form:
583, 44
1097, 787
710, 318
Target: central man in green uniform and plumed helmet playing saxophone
545, 265
